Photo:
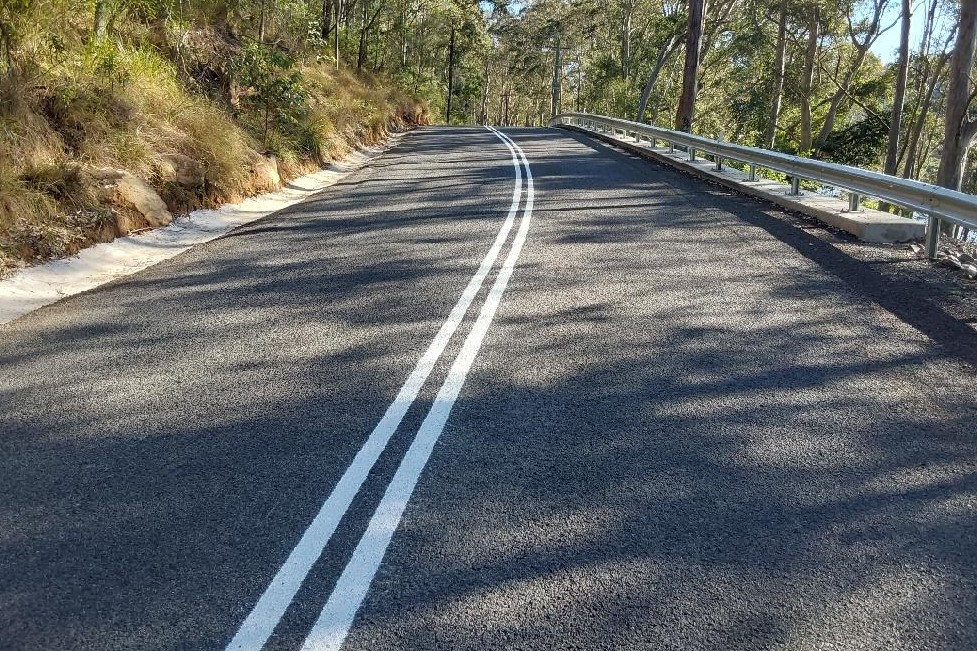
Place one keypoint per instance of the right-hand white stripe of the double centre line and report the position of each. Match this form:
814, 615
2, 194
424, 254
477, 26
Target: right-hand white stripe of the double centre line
336, 618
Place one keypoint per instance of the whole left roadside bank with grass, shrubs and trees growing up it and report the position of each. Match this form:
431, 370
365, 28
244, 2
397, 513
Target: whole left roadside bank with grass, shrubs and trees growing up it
182, 99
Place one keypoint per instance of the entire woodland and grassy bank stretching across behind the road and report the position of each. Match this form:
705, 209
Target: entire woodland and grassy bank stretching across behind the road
124, 83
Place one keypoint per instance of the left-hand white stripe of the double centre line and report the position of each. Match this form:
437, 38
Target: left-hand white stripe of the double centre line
271, 606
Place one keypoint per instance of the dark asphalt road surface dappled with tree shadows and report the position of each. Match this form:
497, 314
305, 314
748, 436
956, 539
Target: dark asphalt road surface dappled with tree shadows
689, 425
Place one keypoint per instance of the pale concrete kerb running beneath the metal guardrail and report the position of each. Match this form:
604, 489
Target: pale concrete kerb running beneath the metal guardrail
867, 225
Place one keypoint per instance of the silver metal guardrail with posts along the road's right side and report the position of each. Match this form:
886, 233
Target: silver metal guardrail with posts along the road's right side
936, 202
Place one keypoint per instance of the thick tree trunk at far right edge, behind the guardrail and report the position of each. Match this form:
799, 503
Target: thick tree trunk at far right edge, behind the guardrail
960, 130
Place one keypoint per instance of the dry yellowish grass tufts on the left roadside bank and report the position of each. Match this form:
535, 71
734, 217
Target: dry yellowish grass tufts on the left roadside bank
125, 107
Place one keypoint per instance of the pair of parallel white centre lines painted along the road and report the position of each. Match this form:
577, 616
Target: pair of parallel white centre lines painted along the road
334, 622
